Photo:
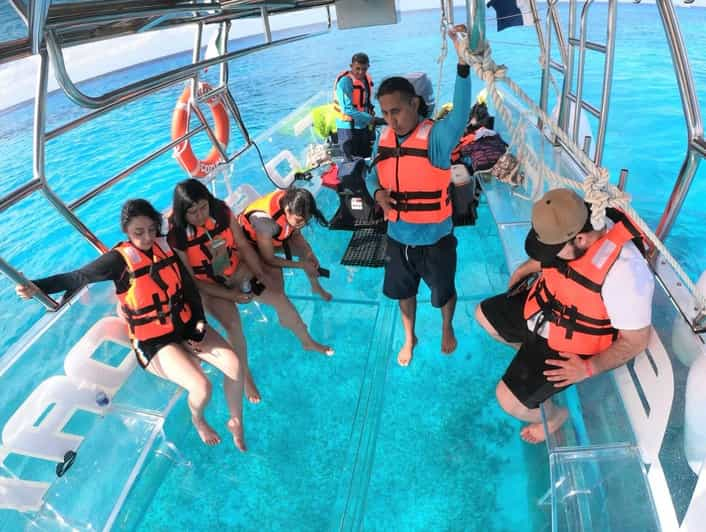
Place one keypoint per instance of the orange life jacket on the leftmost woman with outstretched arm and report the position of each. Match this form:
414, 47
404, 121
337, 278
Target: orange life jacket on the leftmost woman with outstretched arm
155, 296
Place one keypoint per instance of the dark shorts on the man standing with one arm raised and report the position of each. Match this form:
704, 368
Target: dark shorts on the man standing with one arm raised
406, 265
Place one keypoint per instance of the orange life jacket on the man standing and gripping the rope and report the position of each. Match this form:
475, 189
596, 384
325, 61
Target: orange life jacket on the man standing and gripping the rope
420, 189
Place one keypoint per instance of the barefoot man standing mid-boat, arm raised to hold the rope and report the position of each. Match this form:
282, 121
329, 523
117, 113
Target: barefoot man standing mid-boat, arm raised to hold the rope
410, 179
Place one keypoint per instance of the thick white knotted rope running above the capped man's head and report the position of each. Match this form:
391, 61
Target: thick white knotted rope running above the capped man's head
598, 191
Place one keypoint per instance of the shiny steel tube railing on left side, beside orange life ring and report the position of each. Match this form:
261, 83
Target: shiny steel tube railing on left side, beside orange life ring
105, 103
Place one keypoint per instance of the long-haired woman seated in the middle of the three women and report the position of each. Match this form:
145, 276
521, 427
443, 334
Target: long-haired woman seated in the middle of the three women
213, 246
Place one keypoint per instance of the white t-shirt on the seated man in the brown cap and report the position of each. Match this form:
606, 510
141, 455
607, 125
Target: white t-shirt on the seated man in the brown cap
627, 292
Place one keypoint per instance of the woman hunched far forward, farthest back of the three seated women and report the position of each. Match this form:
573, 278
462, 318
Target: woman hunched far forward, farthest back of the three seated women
273, 223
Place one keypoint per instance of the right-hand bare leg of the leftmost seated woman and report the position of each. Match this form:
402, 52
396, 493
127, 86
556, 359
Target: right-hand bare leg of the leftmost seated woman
216, 351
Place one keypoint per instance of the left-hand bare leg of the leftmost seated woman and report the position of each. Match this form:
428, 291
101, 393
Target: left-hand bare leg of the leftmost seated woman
175, 364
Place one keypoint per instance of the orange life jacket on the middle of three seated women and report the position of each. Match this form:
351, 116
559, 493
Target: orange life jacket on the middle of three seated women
203, 250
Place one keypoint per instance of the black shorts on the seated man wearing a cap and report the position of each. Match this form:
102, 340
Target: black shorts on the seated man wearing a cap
525, 374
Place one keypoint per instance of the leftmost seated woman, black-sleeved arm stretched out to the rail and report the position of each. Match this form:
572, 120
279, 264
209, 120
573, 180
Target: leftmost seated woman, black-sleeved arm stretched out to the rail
168, 331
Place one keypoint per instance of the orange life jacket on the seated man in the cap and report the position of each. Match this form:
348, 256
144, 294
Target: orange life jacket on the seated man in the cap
569, 293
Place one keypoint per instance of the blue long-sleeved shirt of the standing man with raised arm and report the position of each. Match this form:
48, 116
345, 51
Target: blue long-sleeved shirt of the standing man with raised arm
443, 138
